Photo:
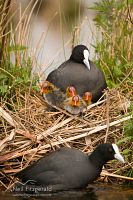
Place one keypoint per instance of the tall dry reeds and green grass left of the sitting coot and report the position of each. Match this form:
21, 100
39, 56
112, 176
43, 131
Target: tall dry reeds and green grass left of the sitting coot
15, 62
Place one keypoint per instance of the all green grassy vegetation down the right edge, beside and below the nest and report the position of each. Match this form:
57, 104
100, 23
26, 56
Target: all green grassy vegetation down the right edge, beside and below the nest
115, 57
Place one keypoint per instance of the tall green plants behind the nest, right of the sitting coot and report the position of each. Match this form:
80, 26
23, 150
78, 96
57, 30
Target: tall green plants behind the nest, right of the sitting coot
115, 50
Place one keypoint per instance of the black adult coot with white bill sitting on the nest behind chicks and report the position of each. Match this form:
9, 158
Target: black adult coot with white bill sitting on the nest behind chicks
79, 72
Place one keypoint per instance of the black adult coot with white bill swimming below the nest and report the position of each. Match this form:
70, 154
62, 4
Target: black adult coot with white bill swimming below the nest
69, 168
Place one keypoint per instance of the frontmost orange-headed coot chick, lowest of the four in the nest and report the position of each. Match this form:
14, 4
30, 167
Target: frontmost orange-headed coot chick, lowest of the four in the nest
74, 105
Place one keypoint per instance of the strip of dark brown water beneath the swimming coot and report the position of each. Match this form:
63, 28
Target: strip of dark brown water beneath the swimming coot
93, 192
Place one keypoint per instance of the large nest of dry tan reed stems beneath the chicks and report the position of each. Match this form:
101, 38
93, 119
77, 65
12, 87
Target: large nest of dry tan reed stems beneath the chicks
28, 131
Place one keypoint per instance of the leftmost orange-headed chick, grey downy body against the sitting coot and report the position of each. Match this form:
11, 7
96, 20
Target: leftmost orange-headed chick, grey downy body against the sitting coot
52, 94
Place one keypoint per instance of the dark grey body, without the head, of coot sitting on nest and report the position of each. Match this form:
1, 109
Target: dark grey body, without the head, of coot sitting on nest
78, 75
